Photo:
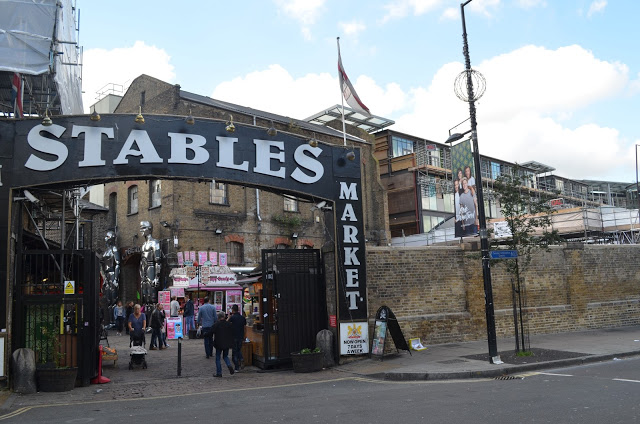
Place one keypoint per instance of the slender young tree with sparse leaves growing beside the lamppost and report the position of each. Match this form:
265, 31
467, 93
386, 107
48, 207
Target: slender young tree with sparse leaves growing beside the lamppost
528, 227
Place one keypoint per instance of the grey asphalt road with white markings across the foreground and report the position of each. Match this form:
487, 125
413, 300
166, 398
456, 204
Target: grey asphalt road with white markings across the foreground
606, 392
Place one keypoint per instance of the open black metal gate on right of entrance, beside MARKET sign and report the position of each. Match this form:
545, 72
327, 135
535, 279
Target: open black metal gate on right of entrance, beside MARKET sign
294, 298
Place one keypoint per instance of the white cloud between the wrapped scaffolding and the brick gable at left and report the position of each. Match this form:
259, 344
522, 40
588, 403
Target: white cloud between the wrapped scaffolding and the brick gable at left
121, 66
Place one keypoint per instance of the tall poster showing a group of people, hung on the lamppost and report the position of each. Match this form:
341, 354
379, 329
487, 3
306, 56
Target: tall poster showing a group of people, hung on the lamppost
464, 190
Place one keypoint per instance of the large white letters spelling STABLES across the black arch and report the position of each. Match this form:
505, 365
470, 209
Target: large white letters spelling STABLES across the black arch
187, 149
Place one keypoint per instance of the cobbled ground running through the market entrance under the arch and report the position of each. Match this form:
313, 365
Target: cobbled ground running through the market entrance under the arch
161, 379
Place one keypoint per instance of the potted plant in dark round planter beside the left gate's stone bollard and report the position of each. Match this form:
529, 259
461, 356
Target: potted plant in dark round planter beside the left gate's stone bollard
52, 372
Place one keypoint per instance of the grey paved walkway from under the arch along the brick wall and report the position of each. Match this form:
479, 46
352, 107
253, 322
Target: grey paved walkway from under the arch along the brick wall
437, 362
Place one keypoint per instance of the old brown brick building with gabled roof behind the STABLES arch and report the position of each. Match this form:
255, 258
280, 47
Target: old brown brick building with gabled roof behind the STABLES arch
211, 215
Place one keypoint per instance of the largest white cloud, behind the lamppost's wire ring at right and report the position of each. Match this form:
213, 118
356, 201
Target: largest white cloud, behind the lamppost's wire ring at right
530, 91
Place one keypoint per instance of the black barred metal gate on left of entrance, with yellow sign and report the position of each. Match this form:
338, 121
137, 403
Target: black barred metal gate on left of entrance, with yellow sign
55, 309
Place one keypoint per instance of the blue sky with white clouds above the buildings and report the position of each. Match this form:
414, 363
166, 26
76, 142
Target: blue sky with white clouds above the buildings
562, 76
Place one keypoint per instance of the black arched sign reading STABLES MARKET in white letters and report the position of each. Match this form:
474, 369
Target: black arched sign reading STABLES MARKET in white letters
75, 150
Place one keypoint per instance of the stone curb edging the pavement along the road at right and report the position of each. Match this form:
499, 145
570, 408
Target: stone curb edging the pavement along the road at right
497, 372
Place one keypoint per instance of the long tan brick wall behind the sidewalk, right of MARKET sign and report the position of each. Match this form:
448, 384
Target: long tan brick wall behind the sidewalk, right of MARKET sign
437, 293
